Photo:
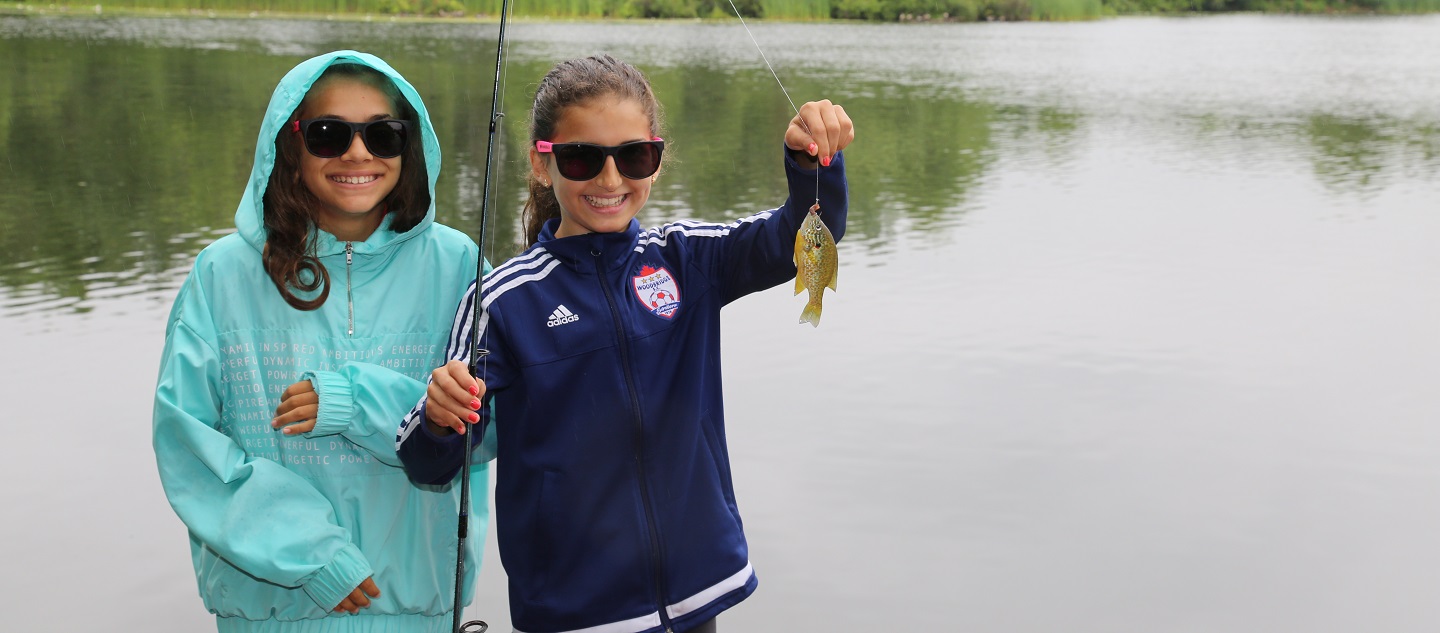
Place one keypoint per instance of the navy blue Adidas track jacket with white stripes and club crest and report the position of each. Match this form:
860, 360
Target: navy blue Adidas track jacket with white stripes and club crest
614, 503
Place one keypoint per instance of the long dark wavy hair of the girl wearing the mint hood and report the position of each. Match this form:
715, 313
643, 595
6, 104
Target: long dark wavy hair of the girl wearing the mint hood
290, 206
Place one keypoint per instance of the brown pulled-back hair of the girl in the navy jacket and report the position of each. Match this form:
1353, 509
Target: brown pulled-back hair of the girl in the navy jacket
575, 83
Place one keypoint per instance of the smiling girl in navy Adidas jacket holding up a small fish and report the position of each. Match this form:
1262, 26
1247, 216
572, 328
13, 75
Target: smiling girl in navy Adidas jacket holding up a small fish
614, 503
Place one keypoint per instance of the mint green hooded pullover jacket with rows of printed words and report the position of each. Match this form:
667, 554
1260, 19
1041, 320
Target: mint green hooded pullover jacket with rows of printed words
284, 527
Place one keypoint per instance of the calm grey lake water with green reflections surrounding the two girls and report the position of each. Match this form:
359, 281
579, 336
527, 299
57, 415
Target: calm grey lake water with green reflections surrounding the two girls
1138, 324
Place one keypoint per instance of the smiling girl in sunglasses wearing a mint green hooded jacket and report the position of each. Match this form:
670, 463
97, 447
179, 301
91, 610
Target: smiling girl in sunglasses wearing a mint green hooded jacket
293, 347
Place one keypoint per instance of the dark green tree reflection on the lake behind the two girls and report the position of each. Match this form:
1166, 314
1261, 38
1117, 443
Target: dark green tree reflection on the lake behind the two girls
135, 133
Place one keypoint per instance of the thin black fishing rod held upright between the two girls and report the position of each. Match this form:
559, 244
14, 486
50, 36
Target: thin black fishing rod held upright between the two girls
477, 627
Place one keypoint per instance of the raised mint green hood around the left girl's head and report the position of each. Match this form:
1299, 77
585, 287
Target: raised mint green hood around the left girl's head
250, 218
